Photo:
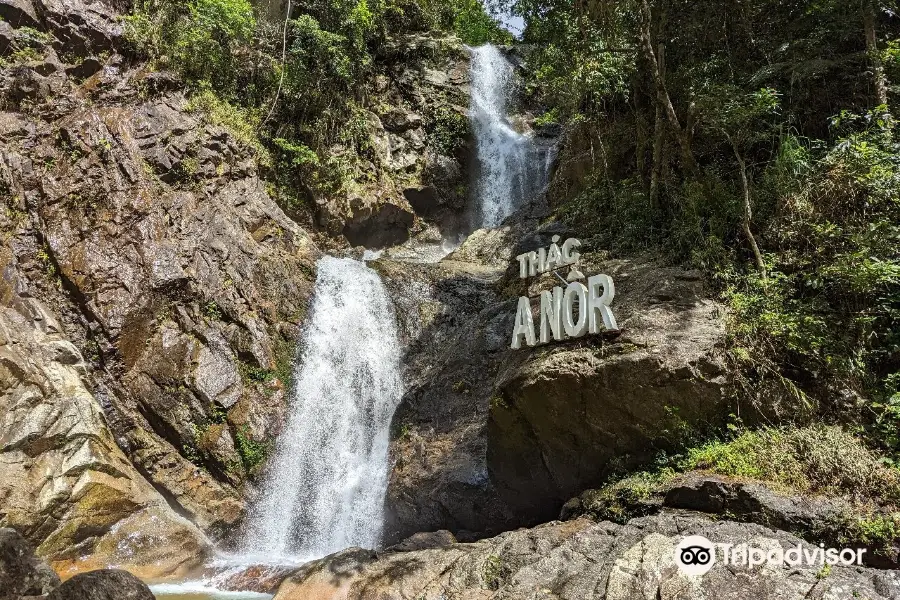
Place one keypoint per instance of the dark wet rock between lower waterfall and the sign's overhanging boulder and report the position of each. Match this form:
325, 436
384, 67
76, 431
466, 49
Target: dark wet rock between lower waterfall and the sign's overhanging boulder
449, 318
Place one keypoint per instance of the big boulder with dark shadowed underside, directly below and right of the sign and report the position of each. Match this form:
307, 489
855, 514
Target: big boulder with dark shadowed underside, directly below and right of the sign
572, 413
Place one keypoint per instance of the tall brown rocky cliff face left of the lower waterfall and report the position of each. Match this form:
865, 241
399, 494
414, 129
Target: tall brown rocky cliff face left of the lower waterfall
152, 293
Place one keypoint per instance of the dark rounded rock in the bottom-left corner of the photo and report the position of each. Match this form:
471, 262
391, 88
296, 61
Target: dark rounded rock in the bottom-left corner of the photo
21, 572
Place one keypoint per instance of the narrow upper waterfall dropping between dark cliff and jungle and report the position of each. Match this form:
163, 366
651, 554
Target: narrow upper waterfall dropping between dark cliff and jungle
506, 173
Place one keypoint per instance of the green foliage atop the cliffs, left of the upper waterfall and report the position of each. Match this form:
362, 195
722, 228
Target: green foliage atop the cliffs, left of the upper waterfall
294, 107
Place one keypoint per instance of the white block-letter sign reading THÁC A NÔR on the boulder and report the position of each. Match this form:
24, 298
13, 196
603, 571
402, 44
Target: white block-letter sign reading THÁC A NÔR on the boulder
566, 312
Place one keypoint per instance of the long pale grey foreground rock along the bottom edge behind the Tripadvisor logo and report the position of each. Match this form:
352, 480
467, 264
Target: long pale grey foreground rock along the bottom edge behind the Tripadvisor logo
585, 560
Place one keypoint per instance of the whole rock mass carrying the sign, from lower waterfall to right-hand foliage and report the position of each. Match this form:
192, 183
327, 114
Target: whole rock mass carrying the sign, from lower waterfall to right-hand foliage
488, 438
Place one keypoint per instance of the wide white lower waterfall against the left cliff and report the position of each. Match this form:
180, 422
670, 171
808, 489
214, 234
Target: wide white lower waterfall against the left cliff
327, 481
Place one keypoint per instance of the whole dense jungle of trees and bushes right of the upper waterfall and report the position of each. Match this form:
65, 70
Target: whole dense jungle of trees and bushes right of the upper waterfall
755, 140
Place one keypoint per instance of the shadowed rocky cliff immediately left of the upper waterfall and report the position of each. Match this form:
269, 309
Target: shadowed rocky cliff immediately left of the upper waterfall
418, 130
